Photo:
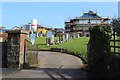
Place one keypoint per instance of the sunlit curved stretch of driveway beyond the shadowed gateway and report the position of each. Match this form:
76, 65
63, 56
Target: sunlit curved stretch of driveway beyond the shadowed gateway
59, 60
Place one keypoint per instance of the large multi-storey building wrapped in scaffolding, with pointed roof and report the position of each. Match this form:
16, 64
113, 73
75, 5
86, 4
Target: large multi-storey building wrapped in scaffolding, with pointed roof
79, 26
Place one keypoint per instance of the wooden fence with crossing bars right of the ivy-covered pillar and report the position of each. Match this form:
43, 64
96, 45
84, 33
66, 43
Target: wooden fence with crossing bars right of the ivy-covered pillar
115, 40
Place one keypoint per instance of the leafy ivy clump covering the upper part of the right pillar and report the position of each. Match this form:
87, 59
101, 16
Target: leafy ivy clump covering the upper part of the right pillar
100, 37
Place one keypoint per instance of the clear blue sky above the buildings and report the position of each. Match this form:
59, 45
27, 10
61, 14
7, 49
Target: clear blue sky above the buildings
52, 14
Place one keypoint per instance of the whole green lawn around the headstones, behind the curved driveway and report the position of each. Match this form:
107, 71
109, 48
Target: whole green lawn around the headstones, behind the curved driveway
78, 45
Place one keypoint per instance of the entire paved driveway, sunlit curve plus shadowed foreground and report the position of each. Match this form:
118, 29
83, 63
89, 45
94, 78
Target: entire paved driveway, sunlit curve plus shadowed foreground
52, 65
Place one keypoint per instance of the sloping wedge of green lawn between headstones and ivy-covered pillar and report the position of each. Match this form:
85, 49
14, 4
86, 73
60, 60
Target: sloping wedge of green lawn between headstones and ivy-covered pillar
78, 46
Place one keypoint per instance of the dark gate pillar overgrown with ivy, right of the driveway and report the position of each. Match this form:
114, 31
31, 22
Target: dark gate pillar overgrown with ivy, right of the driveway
99, 44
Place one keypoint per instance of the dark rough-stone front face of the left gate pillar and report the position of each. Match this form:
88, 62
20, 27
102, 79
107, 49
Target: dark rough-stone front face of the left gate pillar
13, 50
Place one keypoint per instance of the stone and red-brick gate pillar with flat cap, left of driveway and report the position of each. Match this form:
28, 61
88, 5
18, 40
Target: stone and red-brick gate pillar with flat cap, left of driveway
15, 50
